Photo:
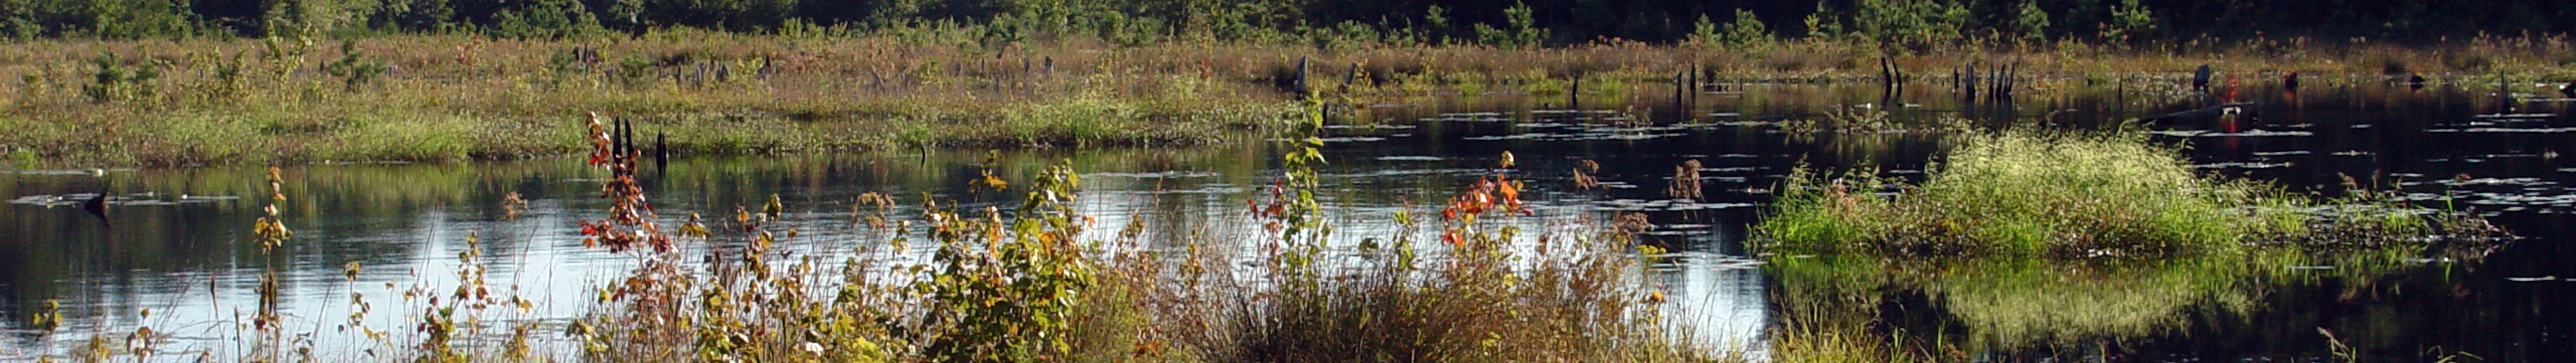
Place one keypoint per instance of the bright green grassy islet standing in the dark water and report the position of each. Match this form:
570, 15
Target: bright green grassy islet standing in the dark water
2026, 194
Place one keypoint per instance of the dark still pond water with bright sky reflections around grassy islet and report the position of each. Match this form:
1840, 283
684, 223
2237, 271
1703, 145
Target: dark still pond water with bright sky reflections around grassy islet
174, 251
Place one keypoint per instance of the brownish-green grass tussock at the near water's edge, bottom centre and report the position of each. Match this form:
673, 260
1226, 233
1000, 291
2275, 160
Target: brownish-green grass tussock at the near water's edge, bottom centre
1467, 310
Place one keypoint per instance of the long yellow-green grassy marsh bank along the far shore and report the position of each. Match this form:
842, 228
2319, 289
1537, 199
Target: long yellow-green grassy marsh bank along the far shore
207, 102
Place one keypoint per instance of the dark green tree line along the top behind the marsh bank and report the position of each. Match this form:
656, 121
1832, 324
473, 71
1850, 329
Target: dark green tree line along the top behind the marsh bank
1423, 22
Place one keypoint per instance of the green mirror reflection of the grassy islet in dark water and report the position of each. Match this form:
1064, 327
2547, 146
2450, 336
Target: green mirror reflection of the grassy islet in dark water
1833, 305
